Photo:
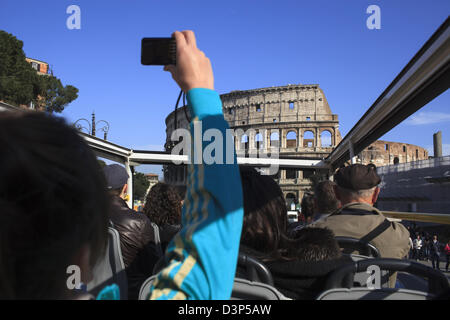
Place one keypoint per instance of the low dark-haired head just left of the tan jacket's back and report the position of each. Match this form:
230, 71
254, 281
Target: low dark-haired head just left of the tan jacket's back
315, 244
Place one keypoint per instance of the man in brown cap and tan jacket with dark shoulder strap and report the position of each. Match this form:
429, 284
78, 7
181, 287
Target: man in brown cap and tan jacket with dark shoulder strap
357, 190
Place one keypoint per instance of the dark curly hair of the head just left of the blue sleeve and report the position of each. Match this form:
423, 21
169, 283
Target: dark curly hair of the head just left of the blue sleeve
163, 205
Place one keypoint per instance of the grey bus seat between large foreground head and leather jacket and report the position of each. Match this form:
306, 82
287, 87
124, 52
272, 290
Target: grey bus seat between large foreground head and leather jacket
110, 269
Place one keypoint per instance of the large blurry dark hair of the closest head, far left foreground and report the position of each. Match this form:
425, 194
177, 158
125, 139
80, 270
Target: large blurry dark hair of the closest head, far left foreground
53, 201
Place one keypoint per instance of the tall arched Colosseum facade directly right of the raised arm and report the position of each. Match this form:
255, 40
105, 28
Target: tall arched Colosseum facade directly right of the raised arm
294, 119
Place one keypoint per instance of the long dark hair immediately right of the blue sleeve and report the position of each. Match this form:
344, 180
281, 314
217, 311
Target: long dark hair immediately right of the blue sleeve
265, 214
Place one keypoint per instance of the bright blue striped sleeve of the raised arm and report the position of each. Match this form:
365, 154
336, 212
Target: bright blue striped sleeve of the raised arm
203, 255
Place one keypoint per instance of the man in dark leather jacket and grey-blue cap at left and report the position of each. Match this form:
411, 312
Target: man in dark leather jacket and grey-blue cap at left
137, 236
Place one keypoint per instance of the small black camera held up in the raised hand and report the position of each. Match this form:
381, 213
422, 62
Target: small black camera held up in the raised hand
158, 51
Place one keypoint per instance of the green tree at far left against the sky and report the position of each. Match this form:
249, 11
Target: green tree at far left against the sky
20, 84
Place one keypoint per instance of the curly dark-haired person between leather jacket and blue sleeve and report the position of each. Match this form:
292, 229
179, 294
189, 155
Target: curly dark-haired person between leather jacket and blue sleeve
163, 207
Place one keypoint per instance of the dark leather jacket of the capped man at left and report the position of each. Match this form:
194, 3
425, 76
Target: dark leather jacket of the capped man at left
137, 242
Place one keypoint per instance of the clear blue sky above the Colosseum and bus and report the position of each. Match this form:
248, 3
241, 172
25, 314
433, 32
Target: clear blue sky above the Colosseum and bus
252, 44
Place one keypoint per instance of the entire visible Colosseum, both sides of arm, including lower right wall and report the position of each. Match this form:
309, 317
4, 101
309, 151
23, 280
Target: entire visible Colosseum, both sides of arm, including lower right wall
298, 122
